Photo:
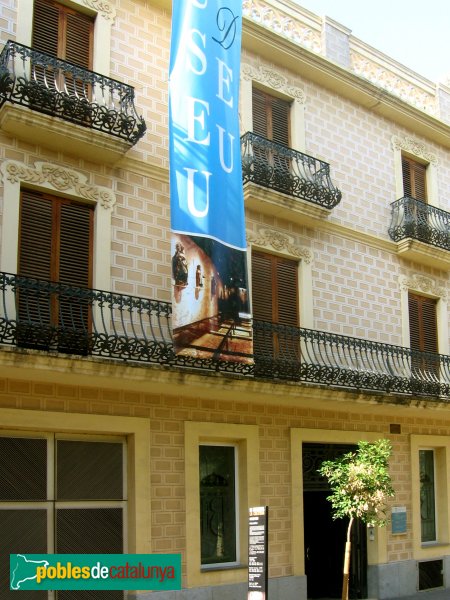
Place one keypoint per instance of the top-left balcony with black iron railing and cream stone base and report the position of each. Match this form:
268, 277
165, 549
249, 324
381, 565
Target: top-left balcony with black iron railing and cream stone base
95, 112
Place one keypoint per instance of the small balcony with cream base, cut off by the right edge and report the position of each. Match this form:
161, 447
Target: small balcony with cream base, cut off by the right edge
422, 232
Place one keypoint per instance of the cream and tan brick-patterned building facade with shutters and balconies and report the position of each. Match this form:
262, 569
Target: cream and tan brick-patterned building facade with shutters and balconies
111, 443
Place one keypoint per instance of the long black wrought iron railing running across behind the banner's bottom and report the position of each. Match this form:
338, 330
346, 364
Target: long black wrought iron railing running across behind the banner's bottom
54, 317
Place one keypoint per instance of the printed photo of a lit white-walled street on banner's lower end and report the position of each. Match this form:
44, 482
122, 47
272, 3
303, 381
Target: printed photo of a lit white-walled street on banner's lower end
212, 315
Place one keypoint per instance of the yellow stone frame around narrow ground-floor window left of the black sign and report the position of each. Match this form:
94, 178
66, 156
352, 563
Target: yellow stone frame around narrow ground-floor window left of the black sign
246, 439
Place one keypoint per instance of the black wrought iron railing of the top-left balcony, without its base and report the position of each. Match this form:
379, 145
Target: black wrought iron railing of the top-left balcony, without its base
59, 88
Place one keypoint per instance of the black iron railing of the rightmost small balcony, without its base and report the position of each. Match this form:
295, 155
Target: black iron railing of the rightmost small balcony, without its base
411, 218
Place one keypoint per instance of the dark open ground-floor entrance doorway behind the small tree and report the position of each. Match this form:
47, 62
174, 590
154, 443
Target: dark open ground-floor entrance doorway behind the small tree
324, 538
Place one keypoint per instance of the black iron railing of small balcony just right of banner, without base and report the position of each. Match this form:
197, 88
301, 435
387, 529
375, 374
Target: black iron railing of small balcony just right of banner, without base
282, 169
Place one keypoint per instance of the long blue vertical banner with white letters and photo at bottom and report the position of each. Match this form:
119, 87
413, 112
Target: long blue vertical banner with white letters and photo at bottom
211, 316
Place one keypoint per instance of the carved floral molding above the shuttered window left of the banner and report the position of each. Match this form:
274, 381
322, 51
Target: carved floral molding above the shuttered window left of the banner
58, 178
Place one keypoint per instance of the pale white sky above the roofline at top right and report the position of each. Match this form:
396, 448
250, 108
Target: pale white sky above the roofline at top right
413, 32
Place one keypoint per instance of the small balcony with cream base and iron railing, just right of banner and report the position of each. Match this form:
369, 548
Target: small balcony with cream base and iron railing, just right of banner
303, 186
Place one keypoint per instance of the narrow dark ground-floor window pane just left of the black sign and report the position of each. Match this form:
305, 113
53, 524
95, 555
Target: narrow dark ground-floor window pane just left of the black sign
218, 509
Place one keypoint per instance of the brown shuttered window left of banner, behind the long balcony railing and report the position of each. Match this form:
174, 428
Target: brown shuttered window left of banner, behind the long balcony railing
55, 244
